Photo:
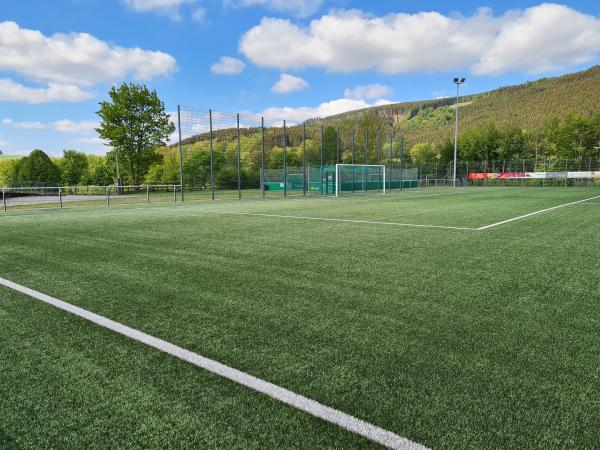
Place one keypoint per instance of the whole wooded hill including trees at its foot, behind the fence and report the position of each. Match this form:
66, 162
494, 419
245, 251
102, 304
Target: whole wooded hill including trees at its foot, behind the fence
551, 121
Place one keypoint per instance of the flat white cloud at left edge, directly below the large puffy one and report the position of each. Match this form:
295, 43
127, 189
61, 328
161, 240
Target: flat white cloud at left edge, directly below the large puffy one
55, 92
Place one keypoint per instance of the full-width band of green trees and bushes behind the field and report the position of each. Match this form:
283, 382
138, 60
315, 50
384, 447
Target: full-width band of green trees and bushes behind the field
136, 126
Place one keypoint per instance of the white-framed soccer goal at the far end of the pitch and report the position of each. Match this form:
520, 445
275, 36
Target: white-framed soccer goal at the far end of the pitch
351, 178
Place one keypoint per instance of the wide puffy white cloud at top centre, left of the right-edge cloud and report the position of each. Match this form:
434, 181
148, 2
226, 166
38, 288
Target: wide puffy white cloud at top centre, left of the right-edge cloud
347, 41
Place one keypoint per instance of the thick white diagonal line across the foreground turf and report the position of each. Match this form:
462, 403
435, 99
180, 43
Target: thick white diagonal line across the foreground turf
346, 421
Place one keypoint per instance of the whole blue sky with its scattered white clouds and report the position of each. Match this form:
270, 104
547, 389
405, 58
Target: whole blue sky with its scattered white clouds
288, 59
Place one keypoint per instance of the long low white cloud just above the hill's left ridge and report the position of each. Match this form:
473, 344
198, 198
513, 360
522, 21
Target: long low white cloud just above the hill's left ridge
323, 110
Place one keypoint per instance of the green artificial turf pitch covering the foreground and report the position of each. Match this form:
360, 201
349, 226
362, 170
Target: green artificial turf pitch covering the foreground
451, 337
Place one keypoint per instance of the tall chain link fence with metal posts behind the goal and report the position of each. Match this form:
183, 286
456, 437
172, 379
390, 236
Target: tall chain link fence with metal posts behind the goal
256, 157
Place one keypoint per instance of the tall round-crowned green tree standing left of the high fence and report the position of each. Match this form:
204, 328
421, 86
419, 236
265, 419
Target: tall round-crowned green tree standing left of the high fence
134, 123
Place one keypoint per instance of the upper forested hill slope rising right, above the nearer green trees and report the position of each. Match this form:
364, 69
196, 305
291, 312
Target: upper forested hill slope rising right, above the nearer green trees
527, 106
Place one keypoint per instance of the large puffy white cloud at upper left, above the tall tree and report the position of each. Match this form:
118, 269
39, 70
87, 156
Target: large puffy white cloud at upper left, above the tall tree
78, 59
